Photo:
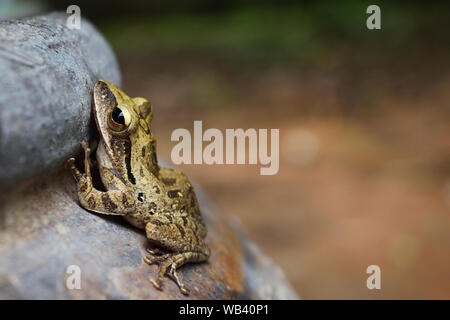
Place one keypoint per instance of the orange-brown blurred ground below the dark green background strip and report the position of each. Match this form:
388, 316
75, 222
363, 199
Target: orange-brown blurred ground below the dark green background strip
358, 184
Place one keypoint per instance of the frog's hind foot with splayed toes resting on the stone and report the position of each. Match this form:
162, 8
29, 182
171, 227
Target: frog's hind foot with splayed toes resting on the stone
170, 266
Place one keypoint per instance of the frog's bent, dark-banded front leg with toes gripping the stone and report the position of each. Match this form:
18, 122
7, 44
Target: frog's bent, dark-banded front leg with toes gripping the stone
113, 202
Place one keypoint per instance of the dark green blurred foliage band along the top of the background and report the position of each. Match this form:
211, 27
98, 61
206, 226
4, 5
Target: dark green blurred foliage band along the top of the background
257, 33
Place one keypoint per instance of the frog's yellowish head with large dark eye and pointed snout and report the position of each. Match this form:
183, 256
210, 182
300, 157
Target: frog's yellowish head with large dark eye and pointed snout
123, 122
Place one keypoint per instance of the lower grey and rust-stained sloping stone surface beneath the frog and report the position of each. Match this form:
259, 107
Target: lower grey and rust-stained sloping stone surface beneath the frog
44, 231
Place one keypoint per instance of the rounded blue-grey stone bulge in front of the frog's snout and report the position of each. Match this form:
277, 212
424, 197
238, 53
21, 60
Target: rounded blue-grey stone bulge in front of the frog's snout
48, 72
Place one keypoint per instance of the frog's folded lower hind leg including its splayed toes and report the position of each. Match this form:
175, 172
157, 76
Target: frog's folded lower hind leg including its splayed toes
171, 264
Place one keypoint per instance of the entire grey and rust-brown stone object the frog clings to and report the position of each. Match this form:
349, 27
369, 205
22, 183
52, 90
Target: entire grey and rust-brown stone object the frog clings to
48, 72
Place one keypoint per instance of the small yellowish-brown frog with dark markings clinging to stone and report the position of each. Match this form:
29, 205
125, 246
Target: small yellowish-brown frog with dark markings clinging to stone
159, 200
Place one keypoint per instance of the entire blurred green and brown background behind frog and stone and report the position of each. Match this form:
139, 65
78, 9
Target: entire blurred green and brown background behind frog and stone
363, 116
